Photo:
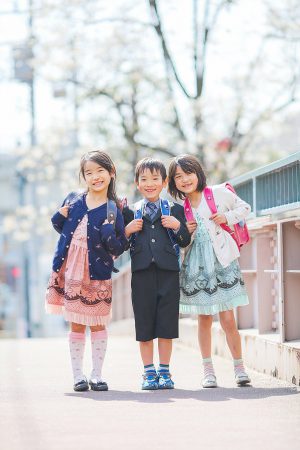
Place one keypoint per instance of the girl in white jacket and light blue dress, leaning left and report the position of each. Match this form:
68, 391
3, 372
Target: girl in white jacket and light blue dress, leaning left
210, 278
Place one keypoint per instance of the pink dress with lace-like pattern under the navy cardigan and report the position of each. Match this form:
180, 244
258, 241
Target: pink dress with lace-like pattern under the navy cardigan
72, 293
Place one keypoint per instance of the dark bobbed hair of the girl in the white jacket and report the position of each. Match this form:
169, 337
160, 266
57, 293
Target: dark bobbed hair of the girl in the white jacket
189, 164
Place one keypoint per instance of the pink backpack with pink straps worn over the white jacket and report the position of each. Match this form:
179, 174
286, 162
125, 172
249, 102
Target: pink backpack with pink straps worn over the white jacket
239, 232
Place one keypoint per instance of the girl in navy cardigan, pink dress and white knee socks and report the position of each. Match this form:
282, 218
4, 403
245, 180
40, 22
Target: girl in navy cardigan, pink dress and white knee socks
80, 286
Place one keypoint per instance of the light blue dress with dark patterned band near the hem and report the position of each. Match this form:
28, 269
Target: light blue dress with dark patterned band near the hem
206, 287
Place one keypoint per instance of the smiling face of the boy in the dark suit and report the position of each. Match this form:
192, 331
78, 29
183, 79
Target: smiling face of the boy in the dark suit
150, 184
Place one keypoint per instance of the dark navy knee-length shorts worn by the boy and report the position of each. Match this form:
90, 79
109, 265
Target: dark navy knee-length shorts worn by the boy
155, 300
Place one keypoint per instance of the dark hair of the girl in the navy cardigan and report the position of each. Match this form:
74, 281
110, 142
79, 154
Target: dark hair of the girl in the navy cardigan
103, 160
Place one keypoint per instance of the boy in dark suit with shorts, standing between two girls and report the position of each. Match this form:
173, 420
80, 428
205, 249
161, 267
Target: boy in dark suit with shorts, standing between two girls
155, 238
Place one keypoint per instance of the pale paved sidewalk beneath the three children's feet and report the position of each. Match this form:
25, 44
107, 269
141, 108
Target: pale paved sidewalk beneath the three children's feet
39, 410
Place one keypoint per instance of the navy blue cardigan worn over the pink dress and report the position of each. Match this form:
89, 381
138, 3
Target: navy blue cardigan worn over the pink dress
103, 240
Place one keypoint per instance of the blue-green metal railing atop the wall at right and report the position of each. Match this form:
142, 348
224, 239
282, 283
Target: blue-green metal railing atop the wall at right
273, 188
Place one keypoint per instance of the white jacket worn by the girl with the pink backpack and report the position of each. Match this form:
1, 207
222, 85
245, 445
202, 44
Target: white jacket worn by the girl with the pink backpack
235, 210
